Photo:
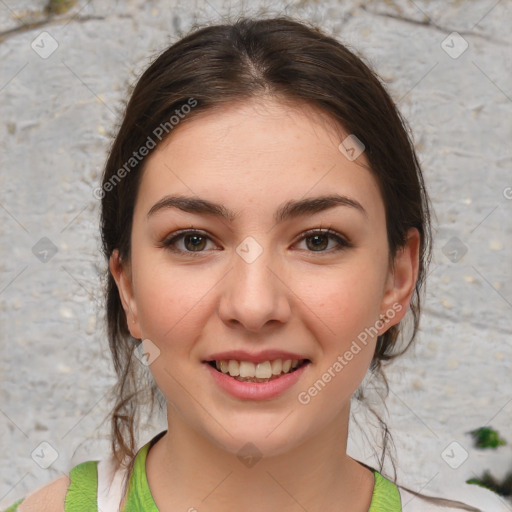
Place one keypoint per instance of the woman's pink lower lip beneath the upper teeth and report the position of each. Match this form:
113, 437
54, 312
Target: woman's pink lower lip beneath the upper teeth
256, 390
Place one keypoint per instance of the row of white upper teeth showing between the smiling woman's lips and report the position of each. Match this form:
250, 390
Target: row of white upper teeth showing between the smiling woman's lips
265, 371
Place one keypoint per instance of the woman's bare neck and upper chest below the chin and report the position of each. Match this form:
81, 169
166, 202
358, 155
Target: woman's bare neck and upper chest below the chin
188, 471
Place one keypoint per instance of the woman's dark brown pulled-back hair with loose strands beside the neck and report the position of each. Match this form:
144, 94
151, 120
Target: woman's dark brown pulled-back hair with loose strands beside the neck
218, 65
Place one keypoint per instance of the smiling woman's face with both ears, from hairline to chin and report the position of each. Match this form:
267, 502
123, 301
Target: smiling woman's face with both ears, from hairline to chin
258, 276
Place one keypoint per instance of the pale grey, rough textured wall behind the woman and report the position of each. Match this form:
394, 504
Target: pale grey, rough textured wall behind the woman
62, 80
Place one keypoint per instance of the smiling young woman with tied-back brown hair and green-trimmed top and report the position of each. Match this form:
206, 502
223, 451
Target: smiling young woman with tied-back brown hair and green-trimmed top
267, 231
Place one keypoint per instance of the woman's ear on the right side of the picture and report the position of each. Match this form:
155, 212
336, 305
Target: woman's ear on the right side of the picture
401, 282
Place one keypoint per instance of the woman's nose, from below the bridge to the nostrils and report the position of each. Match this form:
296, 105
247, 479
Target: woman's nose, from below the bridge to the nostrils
255, 293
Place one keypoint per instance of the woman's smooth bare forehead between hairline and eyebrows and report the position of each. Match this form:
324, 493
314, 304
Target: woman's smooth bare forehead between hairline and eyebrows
258, 151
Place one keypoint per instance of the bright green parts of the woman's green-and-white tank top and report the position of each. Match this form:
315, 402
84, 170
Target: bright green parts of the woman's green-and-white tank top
82, 491
